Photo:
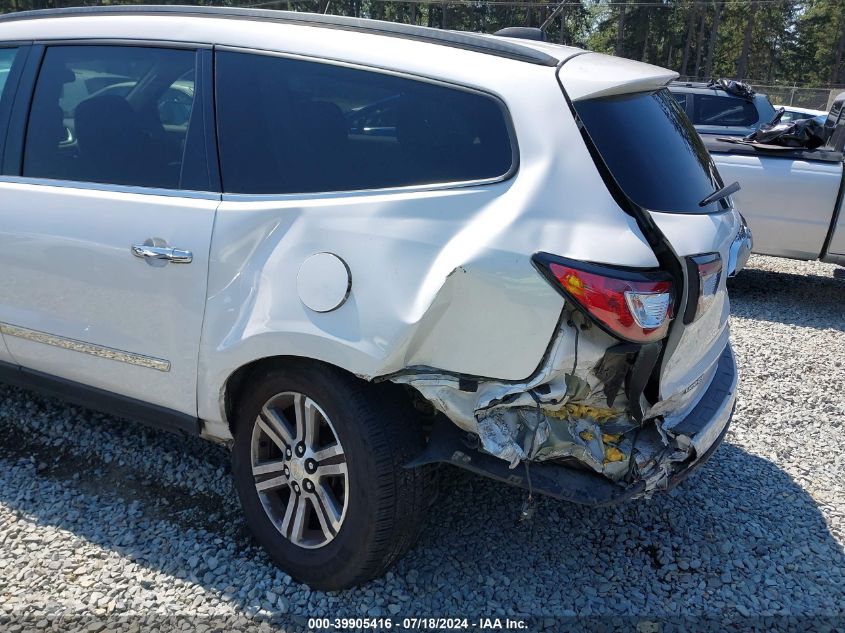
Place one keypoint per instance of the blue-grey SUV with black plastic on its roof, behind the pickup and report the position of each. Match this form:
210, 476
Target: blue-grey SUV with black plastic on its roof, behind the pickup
713, 109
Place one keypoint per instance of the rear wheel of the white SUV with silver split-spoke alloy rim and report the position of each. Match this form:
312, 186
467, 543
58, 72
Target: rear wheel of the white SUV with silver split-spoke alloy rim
318, 465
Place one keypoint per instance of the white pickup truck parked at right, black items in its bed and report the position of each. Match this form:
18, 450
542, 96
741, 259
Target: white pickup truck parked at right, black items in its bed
792, 199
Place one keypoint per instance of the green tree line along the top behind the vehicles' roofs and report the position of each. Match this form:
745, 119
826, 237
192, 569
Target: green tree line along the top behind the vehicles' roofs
796, 42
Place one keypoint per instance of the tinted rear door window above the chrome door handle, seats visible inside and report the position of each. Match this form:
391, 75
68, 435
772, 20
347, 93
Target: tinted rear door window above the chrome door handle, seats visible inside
111, 114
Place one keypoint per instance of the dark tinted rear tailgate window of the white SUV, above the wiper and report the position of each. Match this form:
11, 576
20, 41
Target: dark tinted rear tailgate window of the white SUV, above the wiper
652, 150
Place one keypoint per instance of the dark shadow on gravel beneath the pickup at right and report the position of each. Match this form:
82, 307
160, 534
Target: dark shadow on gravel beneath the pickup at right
806, 300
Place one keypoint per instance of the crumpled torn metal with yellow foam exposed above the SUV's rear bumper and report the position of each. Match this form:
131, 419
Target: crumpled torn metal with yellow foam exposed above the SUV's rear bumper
561, 412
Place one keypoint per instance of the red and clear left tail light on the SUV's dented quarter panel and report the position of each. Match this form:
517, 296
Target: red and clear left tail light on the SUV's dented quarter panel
631, 305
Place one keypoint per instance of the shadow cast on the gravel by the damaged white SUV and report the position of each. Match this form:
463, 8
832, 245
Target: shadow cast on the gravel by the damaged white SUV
739, 536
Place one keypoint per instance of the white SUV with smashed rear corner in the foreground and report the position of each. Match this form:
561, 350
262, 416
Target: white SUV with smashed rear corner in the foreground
351, 250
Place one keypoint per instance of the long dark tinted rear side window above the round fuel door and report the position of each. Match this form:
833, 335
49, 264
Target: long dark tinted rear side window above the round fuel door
290, 126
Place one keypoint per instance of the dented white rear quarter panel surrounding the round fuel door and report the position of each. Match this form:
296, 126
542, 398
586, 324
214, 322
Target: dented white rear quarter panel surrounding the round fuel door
442, 277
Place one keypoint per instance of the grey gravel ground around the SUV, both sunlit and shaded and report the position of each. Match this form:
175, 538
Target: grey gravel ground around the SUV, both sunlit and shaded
102, 517
